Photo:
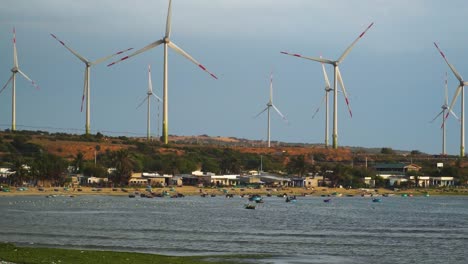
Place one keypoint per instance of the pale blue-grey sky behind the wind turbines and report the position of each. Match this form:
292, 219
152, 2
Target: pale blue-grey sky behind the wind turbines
394, 75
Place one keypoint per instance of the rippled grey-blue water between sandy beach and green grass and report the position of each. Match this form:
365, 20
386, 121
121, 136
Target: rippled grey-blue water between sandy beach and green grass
346, 230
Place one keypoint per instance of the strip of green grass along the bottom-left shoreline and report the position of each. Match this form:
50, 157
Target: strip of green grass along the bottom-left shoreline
30, 255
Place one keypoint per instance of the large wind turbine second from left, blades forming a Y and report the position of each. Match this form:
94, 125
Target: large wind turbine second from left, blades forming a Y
86, 88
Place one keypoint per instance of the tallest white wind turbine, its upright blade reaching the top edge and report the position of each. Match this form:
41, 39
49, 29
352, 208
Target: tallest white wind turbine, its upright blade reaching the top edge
167, 43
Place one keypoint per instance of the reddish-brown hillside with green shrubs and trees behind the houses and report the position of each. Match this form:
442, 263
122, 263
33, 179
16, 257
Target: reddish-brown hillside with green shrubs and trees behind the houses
49, 155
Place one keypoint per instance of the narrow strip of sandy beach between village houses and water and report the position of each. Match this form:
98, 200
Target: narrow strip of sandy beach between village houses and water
191, 190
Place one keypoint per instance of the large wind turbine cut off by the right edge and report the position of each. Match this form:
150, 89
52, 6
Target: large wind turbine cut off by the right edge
460, 87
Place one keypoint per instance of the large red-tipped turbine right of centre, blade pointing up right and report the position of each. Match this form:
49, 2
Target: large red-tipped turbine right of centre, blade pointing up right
337, 78
